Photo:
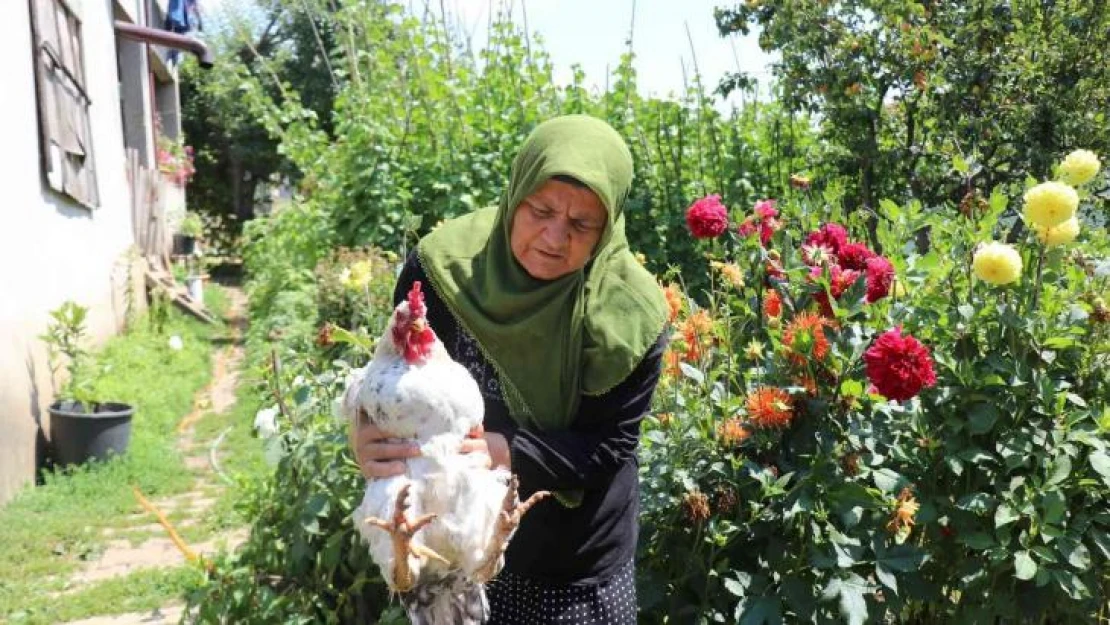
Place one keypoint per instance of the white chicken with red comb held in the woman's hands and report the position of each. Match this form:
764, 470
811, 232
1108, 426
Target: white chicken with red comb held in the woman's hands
439, 532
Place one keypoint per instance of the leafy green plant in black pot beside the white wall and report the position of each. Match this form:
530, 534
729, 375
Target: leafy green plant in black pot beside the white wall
83, 427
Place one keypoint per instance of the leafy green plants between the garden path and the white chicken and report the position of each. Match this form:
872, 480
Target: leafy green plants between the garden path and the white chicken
305, 562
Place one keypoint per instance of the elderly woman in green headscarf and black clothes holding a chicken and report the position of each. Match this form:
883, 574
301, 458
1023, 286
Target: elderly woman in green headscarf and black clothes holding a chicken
542, 301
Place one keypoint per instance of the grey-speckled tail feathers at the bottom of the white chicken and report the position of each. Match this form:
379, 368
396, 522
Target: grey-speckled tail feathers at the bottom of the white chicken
453, 600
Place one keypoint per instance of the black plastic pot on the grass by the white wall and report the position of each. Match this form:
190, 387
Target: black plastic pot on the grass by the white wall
79, 437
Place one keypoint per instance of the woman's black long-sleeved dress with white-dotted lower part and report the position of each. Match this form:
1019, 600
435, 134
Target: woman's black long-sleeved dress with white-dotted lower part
564, 564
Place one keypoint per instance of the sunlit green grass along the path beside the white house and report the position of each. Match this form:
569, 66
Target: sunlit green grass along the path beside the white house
48, 532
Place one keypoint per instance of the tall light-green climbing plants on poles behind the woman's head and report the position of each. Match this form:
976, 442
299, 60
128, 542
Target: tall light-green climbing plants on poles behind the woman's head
427, 132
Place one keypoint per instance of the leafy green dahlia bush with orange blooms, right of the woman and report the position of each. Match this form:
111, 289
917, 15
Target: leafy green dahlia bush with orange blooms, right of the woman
1001, 467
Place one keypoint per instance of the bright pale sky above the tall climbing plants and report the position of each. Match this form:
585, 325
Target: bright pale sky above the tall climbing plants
593, 34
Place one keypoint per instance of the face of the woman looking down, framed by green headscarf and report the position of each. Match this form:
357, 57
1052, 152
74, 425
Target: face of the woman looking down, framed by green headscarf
556, 229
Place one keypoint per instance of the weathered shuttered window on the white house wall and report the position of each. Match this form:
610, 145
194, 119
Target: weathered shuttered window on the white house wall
64, 102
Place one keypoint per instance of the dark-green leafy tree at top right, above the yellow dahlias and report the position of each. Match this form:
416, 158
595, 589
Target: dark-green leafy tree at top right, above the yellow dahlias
905, 89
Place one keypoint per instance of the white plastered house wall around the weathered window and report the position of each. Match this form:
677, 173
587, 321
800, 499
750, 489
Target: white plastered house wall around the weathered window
53, 250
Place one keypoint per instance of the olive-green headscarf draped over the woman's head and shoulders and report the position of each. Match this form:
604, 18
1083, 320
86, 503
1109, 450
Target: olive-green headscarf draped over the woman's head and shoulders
551, 341
